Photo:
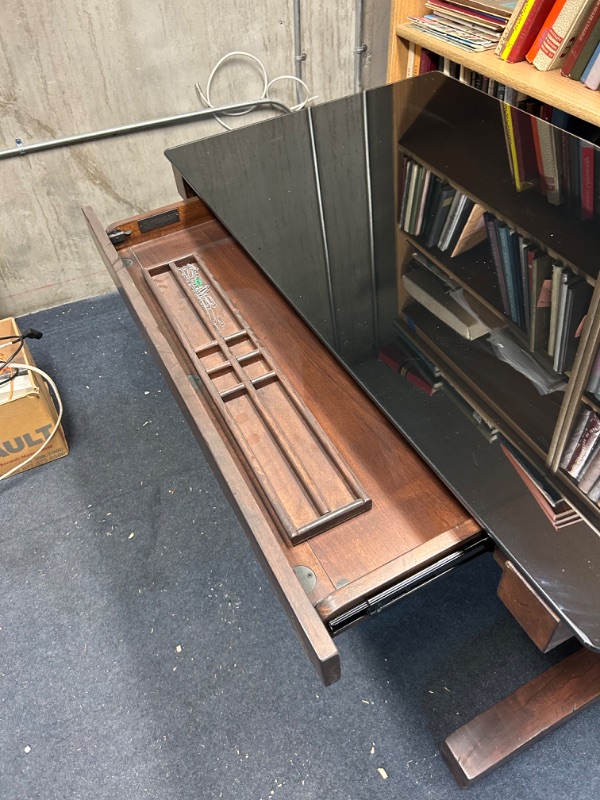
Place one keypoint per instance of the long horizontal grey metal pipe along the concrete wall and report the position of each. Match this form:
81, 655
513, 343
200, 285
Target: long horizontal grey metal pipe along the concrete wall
136, 127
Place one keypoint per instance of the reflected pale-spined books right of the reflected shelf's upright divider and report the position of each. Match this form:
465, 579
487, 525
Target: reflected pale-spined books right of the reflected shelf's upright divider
581, 458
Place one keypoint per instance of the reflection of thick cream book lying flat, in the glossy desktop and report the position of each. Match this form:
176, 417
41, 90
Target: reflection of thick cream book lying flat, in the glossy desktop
431, 293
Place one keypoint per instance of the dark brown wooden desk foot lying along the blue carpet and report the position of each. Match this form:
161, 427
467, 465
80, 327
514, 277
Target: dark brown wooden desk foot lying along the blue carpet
523, 717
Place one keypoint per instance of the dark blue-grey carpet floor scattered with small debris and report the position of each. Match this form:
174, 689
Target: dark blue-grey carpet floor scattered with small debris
143, 654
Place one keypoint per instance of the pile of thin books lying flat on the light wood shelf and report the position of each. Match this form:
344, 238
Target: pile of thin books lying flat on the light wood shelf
473, 25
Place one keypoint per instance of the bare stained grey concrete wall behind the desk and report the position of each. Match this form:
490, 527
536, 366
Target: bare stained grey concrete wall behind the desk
81, 65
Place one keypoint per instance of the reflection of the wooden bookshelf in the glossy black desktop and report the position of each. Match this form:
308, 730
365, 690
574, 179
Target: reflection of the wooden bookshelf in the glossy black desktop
467, 149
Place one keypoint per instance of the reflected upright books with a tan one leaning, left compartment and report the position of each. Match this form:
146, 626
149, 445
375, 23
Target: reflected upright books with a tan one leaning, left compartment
432, 208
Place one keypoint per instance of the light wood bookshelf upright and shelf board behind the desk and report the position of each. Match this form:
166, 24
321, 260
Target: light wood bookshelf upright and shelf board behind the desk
548, 87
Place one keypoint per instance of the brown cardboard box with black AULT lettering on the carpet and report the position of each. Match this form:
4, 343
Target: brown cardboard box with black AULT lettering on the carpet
27, 412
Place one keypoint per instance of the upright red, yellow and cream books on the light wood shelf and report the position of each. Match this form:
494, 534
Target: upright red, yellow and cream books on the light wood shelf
555, 34
